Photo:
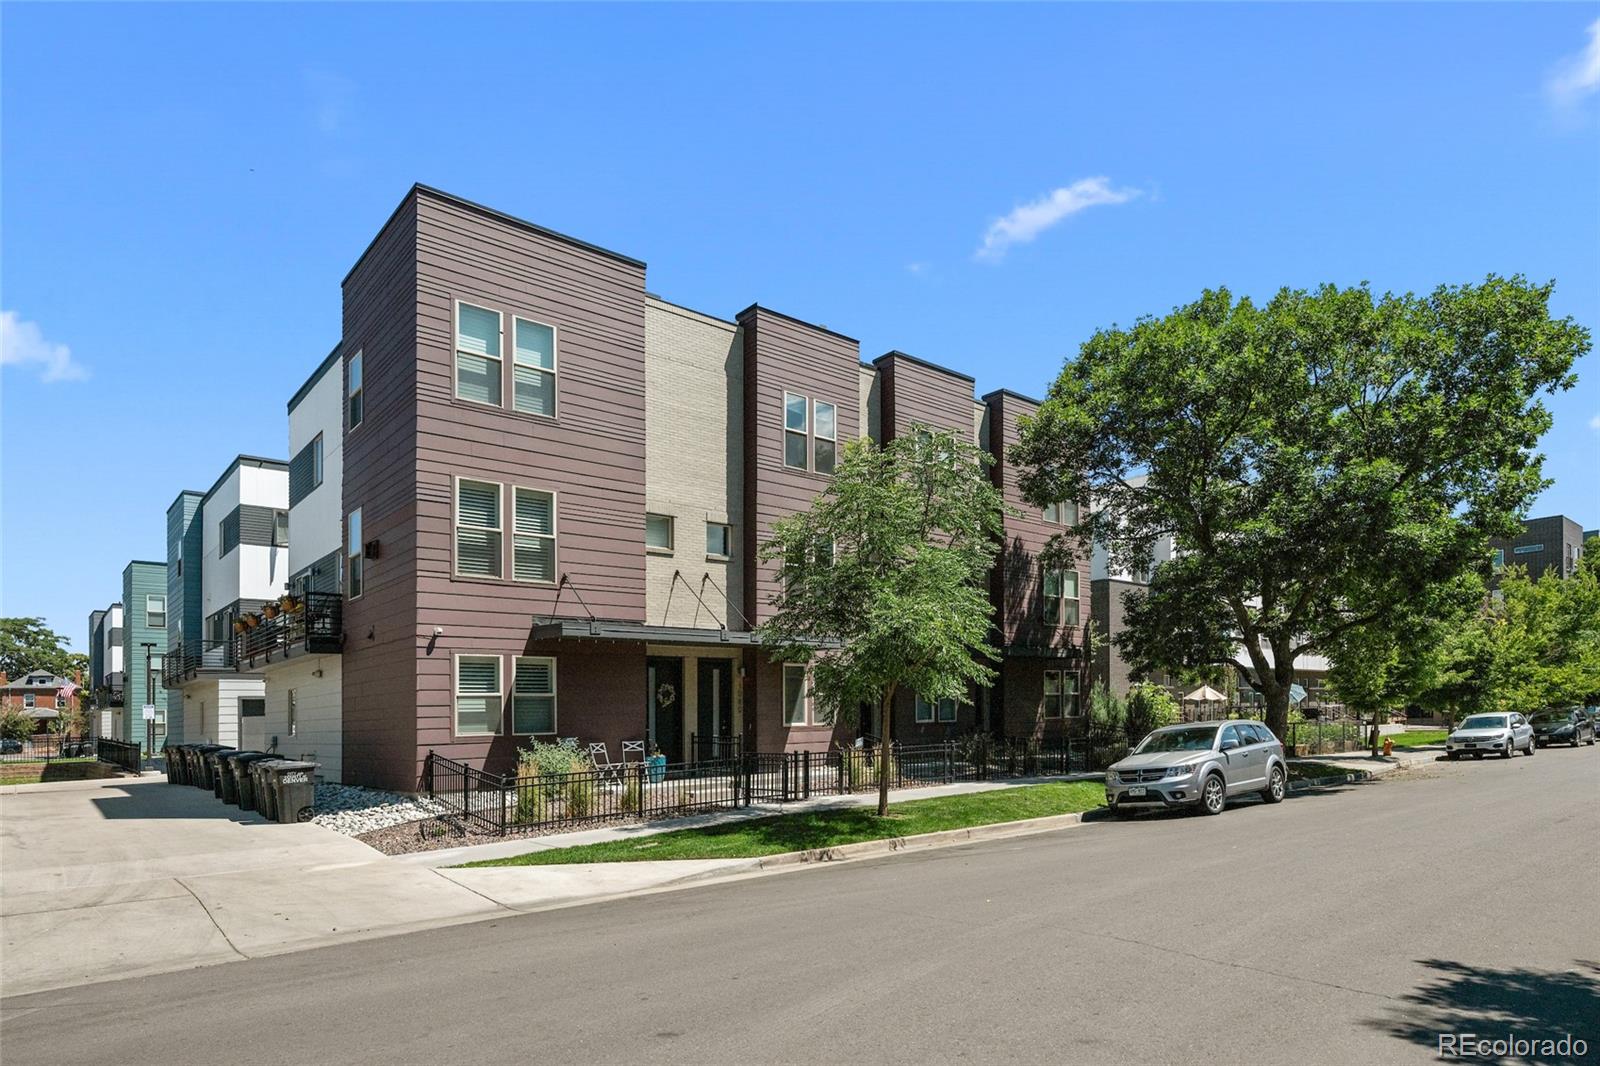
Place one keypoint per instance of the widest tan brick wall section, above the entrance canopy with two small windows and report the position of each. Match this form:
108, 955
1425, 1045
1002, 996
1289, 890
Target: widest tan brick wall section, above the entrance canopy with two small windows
694, 463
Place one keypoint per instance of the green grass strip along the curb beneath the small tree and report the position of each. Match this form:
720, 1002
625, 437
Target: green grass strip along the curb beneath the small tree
831, 828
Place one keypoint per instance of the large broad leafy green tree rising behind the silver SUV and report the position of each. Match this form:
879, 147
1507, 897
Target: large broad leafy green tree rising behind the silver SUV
1318, 460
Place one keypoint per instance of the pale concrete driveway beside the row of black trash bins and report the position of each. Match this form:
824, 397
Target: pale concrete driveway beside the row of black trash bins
124, 878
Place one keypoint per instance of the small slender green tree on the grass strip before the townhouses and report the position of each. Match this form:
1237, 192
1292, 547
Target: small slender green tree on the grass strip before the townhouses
884, 582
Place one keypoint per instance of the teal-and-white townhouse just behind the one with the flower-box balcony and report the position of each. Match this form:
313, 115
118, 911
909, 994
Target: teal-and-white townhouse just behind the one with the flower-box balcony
228, 558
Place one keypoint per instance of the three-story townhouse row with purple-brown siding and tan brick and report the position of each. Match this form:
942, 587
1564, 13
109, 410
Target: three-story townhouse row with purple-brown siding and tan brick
556, 486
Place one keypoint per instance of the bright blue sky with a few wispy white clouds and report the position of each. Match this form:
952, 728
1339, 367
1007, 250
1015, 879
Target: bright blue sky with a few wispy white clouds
983, 186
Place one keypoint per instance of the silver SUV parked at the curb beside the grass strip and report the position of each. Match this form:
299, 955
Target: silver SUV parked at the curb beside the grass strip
1199, 764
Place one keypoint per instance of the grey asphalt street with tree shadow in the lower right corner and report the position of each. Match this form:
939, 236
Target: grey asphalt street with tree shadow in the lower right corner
1348, 926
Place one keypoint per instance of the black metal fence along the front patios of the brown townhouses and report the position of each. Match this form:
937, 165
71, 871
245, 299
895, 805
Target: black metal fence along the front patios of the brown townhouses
530, 803
